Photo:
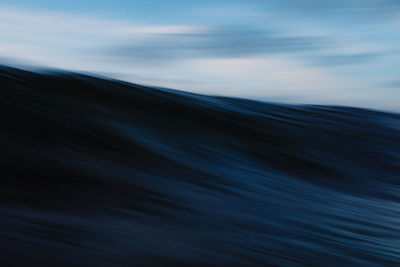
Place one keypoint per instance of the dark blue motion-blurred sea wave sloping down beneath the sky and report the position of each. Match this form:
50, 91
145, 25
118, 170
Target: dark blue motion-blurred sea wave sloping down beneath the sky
105, 173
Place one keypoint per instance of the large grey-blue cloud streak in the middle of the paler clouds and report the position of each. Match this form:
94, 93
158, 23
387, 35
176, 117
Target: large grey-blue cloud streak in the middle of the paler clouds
218, 41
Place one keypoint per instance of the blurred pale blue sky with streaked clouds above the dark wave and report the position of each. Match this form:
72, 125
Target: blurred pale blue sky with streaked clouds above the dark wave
335, 52
